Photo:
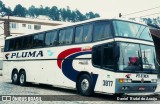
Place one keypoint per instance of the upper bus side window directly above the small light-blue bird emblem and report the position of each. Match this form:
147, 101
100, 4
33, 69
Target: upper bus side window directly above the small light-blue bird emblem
51, 38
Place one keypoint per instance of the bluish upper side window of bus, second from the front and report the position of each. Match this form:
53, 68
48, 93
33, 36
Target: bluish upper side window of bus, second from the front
83, 33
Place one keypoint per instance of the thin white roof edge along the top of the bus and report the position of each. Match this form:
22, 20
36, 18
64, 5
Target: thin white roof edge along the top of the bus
77, 23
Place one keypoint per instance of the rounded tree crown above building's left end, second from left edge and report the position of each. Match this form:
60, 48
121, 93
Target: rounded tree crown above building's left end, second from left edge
19, 11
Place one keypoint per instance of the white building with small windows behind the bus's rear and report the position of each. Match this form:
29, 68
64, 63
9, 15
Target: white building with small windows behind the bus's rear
12, 26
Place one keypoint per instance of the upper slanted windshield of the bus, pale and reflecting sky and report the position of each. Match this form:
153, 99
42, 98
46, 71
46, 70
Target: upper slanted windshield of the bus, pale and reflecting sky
131, 30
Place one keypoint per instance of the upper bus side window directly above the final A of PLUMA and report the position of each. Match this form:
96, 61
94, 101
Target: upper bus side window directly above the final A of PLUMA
38, 40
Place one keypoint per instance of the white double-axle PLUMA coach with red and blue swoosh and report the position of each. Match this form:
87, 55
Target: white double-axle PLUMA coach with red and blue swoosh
112, 56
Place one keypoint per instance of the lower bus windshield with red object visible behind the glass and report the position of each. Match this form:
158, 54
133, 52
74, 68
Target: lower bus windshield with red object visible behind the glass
136, 58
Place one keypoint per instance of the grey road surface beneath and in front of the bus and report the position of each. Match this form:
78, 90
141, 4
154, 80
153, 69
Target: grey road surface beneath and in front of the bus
39, 94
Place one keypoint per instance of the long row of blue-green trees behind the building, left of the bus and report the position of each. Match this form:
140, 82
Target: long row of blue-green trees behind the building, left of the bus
62, 14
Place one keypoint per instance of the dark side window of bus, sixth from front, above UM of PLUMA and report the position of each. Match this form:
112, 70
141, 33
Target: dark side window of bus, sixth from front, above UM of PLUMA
27, 42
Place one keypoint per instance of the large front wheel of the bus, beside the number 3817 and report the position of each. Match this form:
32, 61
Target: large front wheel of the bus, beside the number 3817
84, 85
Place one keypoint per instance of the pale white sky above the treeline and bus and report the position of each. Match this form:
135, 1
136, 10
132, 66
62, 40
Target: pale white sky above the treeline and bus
106, 8
